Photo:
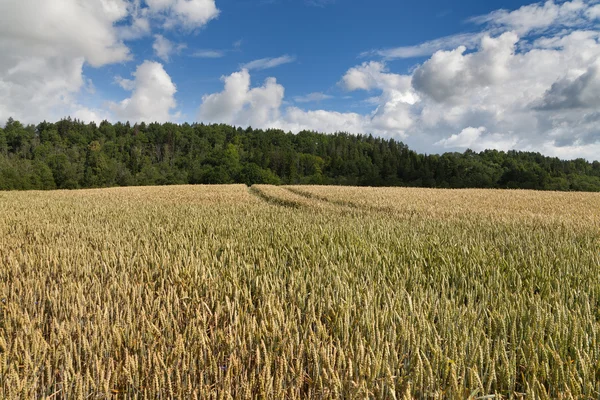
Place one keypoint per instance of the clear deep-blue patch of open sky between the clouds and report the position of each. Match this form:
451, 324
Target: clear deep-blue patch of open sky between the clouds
324, 37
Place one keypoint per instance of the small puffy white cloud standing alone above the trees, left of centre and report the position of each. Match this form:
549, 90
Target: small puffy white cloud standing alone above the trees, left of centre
152, 98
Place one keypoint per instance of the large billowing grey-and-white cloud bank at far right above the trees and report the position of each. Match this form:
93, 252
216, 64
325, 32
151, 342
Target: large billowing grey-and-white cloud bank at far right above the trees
544, 95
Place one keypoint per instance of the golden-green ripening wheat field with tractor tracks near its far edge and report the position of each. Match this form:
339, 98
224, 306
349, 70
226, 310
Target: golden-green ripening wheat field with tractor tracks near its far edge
221, 292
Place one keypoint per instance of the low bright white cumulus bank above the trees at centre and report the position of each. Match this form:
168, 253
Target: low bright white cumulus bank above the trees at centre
239, 104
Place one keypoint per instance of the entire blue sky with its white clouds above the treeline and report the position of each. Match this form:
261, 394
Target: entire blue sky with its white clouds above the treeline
439, 76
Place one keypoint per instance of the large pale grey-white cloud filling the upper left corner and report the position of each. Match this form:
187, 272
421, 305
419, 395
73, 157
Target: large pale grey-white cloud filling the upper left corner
41, 64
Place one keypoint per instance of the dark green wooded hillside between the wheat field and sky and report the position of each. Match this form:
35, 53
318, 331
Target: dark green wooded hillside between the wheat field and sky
70, 154
